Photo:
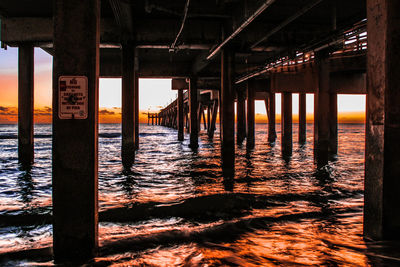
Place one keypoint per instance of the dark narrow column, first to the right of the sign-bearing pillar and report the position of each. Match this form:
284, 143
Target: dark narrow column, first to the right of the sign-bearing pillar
128, 104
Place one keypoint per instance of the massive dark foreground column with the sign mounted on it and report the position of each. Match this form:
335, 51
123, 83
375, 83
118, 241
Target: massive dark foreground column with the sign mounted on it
75, 149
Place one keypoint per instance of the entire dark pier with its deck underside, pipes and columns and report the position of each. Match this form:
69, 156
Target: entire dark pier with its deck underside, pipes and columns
217, 53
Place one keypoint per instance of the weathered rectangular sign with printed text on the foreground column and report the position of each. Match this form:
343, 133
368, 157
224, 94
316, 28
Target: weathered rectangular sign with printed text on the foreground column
72, 97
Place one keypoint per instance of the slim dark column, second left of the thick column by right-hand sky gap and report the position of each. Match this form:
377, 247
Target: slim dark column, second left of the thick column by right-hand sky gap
286, 123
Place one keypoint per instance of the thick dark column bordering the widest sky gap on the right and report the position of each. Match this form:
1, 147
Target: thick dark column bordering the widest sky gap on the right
321, 109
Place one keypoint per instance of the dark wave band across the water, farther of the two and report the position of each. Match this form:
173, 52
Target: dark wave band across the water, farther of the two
205, 208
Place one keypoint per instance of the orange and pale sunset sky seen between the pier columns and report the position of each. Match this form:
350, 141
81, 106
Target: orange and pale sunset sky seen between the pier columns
153, 94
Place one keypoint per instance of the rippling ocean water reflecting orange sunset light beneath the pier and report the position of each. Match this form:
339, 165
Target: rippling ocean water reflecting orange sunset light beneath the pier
175, 208
